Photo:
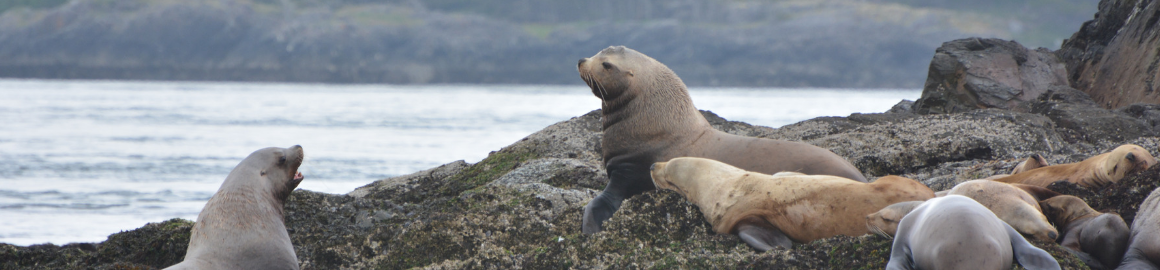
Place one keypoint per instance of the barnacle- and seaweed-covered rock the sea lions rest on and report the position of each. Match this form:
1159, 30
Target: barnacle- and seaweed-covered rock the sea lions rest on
521, 207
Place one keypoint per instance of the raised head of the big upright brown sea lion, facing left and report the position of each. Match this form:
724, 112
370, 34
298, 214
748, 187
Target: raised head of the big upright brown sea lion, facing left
615, 71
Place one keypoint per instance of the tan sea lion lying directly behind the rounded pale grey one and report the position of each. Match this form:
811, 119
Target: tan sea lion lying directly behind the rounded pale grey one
1011, 205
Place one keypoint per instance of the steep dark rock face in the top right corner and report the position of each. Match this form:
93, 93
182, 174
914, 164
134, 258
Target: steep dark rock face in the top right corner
1115, 57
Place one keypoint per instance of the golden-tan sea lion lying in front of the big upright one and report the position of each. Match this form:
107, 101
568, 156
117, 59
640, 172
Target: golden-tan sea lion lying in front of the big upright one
767, 211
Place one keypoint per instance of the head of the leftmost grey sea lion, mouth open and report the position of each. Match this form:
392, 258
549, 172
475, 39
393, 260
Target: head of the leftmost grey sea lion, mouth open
275, 169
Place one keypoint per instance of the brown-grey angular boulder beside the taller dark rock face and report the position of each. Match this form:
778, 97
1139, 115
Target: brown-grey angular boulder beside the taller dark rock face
978, 74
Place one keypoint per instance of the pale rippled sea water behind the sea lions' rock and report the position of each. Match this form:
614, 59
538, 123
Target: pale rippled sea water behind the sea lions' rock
81, 160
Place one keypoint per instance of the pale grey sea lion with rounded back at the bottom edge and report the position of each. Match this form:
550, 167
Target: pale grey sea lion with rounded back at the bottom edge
956, 232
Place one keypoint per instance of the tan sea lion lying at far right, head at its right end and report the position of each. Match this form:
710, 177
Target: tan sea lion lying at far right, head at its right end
1091, 173
